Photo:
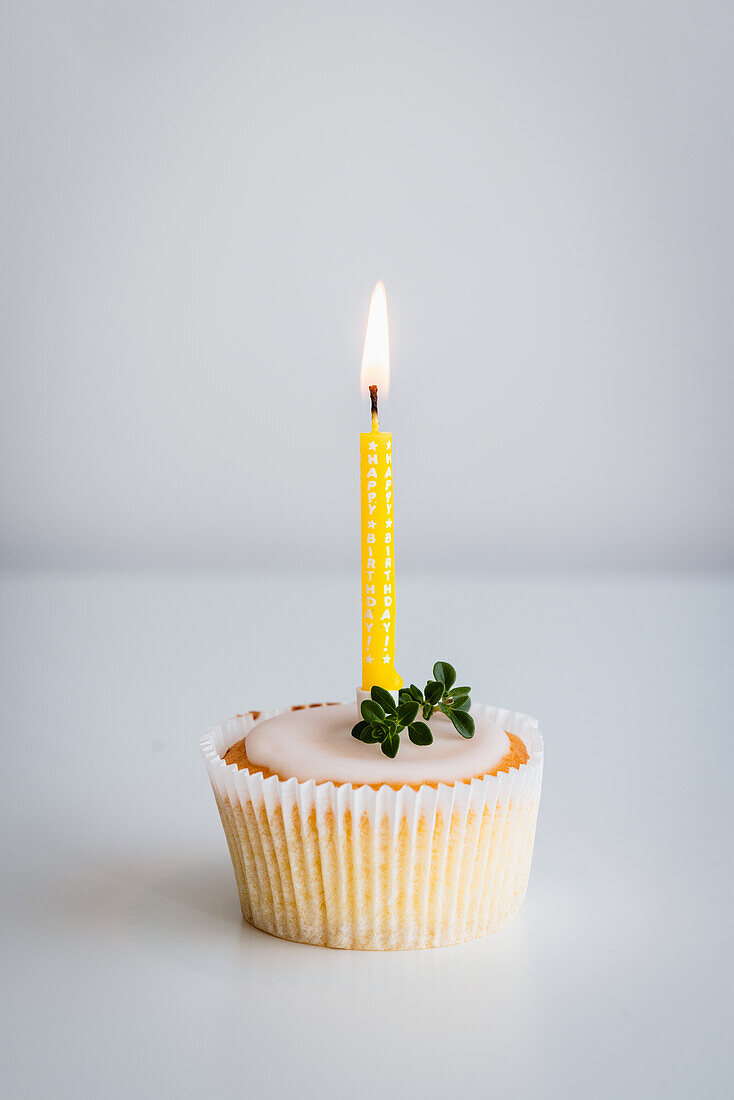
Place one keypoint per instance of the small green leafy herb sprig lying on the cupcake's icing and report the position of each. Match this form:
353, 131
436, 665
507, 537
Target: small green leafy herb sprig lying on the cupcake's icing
384, 720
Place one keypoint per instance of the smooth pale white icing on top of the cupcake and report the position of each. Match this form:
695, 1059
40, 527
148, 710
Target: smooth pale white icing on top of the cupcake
317, 744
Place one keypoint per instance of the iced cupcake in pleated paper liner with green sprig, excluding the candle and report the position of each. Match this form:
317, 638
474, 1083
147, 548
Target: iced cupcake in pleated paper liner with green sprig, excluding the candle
339, 841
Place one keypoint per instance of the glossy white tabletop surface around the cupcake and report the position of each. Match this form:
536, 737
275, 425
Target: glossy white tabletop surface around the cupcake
128, 971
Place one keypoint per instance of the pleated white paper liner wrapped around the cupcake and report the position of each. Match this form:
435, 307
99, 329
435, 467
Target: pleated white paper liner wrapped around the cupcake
385, 870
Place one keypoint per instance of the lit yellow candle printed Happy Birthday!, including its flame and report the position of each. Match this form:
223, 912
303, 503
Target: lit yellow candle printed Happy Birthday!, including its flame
378, 512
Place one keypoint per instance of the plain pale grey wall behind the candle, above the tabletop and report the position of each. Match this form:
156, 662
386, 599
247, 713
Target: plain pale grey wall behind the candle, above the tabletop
196, 200
